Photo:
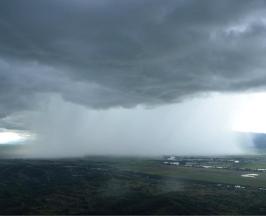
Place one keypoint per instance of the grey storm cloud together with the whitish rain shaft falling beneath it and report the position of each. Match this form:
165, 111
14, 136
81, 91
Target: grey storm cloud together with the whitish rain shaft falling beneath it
107, 76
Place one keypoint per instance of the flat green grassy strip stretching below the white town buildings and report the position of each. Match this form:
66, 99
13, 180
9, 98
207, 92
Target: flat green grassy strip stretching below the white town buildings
211, 175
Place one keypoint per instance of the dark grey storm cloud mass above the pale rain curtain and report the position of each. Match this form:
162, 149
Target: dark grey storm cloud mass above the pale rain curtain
123, 53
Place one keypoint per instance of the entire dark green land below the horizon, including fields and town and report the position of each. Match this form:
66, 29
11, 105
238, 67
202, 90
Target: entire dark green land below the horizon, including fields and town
101, 185
